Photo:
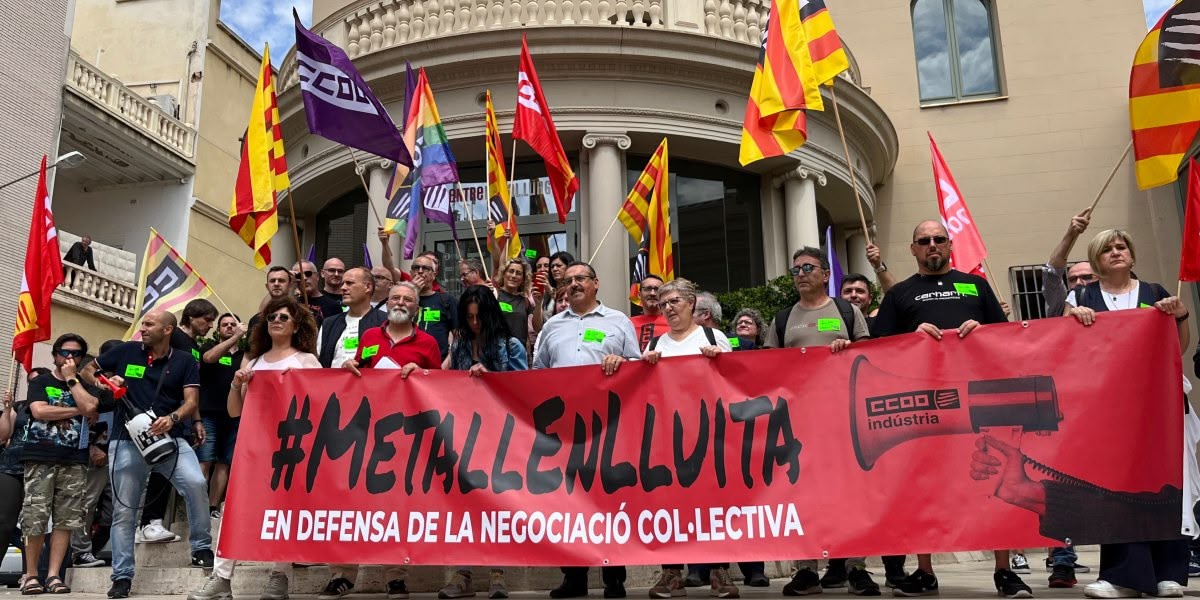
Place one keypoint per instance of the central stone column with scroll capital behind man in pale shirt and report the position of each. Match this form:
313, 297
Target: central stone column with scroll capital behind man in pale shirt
607, 193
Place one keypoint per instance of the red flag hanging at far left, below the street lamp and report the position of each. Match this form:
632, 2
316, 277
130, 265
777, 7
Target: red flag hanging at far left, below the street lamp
44, 273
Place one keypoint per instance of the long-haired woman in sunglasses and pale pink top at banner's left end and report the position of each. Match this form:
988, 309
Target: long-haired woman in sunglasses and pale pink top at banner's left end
284, 340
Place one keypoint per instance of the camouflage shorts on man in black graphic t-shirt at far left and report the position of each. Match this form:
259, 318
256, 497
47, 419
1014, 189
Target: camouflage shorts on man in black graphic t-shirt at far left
55, 491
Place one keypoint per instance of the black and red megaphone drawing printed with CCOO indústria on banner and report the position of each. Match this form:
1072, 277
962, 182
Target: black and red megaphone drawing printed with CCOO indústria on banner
887, 410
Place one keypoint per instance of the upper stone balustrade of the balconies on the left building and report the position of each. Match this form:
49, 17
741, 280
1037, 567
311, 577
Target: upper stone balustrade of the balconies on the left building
110, 94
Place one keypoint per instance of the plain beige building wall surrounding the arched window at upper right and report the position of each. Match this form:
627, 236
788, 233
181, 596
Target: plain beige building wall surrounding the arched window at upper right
1025, 163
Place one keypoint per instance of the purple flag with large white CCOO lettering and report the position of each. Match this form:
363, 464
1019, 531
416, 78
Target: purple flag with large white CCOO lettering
339, 104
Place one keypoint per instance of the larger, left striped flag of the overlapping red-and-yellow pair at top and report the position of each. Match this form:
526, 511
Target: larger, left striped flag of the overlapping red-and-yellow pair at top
785, 85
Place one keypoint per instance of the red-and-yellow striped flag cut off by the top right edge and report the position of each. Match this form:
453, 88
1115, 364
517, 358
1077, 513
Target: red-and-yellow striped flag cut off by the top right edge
1165, 95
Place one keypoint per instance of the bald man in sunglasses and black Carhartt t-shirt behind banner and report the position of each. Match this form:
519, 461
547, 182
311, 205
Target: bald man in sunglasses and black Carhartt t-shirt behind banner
937, 302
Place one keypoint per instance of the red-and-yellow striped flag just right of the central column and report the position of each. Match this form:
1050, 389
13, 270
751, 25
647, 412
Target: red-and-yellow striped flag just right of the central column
647, 218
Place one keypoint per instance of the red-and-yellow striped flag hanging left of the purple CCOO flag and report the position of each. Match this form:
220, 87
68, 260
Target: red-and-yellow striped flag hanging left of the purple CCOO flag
263, 172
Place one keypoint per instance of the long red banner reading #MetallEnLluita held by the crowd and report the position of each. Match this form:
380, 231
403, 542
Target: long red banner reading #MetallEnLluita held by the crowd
755, 455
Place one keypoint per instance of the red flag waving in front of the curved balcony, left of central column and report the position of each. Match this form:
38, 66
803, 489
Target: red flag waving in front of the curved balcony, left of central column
535, 125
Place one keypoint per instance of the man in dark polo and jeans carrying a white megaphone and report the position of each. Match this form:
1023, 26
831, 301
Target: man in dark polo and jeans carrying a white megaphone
165, 381
